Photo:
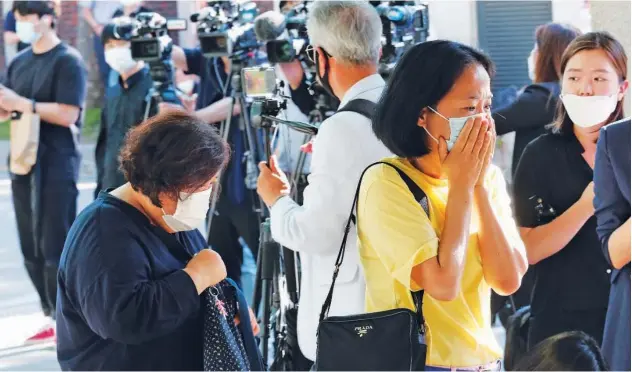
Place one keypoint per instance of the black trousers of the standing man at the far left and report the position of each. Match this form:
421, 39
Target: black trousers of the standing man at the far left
44, 210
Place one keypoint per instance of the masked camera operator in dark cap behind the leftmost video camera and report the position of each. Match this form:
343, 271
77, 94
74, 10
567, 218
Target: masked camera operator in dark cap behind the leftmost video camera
126, 104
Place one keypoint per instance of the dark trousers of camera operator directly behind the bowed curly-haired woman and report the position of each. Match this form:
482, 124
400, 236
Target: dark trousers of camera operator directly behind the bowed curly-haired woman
230, 222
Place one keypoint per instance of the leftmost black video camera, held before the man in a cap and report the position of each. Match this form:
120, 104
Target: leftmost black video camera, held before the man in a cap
150, 42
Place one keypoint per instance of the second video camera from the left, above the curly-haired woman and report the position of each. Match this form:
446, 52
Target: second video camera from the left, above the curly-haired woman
225, 29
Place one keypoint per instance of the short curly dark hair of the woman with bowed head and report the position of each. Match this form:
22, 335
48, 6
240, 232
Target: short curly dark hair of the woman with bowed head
170, 153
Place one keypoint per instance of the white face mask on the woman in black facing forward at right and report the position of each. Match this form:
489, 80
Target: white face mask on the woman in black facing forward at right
588, 111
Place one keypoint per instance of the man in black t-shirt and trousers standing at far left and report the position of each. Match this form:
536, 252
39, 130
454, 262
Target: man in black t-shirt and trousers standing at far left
48, 79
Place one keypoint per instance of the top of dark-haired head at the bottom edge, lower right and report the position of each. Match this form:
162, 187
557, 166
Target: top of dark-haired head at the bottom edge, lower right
568, 351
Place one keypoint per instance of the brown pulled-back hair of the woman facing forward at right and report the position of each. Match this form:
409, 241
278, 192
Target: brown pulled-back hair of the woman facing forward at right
619, 59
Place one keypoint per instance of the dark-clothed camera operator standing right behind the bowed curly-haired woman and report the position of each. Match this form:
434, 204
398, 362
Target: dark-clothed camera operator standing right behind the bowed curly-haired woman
235, 215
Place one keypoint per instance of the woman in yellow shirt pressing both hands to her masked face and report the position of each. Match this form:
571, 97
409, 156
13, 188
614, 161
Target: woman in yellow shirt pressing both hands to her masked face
469, 244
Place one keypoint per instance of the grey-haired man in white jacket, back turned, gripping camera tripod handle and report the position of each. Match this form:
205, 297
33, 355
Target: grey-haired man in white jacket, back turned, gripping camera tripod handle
346, 46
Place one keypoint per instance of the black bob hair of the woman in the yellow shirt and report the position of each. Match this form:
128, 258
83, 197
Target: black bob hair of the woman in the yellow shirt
423, 76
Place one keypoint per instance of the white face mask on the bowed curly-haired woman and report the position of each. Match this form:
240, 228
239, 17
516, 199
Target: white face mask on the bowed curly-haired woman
190, 212
